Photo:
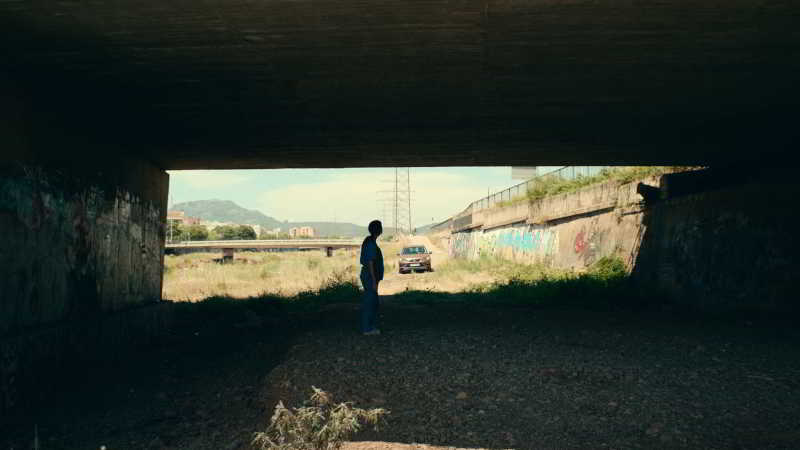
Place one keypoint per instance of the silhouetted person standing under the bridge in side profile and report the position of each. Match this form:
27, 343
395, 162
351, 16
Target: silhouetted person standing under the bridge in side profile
371, 275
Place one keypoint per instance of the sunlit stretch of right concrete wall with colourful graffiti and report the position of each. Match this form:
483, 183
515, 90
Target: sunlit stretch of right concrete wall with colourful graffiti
569, 231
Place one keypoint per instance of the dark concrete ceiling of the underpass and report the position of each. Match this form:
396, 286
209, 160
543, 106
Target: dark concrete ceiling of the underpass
300, 83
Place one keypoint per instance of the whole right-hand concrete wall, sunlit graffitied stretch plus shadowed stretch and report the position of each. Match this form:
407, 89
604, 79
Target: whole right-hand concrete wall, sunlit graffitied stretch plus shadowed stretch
707, 240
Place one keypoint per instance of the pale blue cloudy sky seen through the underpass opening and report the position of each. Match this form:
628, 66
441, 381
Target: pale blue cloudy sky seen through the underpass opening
342, 195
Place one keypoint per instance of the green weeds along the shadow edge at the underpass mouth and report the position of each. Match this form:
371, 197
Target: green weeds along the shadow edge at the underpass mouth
604, 284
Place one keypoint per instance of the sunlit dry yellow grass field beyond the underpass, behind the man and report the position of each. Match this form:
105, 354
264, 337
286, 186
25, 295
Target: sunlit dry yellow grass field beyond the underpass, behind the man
198, 276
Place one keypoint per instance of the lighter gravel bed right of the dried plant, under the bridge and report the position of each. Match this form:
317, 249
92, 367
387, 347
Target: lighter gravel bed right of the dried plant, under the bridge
549, 379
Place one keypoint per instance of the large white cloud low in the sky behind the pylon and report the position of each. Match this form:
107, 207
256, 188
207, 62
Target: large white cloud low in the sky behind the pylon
353, 197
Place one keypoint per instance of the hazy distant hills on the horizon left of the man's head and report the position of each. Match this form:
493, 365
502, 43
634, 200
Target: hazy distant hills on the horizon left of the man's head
228, 211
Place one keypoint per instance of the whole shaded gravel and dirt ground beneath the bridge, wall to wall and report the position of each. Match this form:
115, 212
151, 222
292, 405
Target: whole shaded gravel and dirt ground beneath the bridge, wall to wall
454, 376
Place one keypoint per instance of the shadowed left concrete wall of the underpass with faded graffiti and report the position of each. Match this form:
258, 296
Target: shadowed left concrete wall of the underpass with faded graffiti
81, 250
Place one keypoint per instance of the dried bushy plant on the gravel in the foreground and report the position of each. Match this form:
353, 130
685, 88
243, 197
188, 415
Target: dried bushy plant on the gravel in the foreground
320, 426
